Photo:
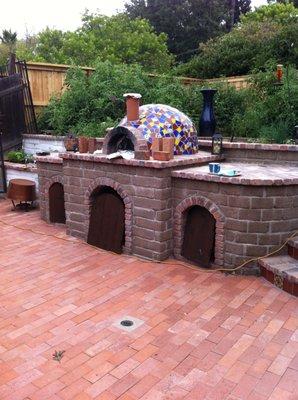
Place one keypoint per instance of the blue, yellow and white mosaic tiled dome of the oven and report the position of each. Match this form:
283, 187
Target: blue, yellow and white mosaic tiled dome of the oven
159, 120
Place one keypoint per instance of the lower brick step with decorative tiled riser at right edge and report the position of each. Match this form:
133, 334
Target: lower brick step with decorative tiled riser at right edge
282, 271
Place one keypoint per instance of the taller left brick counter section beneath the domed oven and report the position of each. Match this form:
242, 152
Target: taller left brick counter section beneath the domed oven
144, 186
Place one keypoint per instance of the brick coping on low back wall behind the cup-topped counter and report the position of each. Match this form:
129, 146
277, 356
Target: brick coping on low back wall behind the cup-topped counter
252, 146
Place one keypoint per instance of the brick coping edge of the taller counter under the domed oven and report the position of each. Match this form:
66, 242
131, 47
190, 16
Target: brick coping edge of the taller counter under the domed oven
200, 158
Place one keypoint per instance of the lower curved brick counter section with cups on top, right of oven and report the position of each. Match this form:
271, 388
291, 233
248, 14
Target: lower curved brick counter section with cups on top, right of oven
254, 213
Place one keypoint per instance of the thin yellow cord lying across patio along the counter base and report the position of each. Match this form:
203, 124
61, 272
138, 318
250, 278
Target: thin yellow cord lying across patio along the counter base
163, 262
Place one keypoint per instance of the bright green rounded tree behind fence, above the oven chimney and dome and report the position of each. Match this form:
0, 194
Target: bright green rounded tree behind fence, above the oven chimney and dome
121, 39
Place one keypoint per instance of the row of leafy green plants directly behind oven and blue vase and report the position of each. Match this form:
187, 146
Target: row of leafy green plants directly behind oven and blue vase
91, 104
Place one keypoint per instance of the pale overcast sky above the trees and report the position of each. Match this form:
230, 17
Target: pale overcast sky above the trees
34, 15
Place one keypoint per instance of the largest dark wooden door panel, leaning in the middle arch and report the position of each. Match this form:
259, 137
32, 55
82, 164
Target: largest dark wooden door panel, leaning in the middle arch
107, 222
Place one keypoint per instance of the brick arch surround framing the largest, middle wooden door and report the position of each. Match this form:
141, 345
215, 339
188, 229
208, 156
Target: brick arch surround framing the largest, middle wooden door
97, 183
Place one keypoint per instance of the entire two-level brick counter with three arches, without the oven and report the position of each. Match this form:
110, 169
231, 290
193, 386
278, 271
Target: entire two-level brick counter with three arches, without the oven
254, 212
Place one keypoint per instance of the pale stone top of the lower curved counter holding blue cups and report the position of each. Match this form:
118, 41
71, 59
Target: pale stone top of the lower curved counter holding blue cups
253, 175
